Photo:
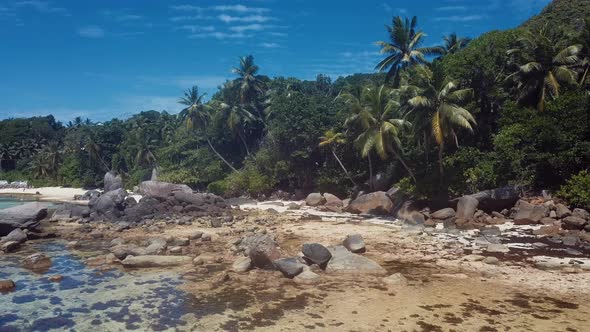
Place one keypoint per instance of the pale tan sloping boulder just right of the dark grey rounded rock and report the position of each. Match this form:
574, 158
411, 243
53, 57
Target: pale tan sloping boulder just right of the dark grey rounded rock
343, 261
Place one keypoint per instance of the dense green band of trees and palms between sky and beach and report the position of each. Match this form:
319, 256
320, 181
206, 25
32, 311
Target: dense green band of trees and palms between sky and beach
509, 107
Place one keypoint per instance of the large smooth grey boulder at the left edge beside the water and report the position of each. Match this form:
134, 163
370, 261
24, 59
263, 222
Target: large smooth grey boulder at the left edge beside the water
26, 216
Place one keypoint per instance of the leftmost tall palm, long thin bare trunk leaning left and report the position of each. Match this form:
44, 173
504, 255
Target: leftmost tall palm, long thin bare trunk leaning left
196, 116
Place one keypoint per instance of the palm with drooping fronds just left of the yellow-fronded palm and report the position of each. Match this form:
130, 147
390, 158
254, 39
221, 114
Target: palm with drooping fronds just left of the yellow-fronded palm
375, 115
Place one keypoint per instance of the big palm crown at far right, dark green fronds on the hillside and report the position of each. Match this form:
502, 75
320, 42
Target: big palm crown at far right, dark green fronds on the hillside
542, 63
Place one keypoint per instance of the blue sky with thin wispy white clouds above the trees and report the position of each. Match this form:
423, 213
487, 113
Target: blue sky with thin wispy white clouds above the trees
113, 58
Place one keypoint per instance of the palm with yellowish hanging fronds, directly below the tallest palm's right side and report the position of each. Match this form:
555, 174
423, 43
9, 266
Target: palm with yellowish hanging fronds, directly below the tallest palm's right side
436, 101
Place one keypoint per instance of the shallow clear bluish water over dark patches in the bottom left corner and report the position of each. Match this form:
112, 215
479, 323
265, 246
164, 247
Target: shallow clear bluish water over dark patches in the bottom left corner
88, 299
